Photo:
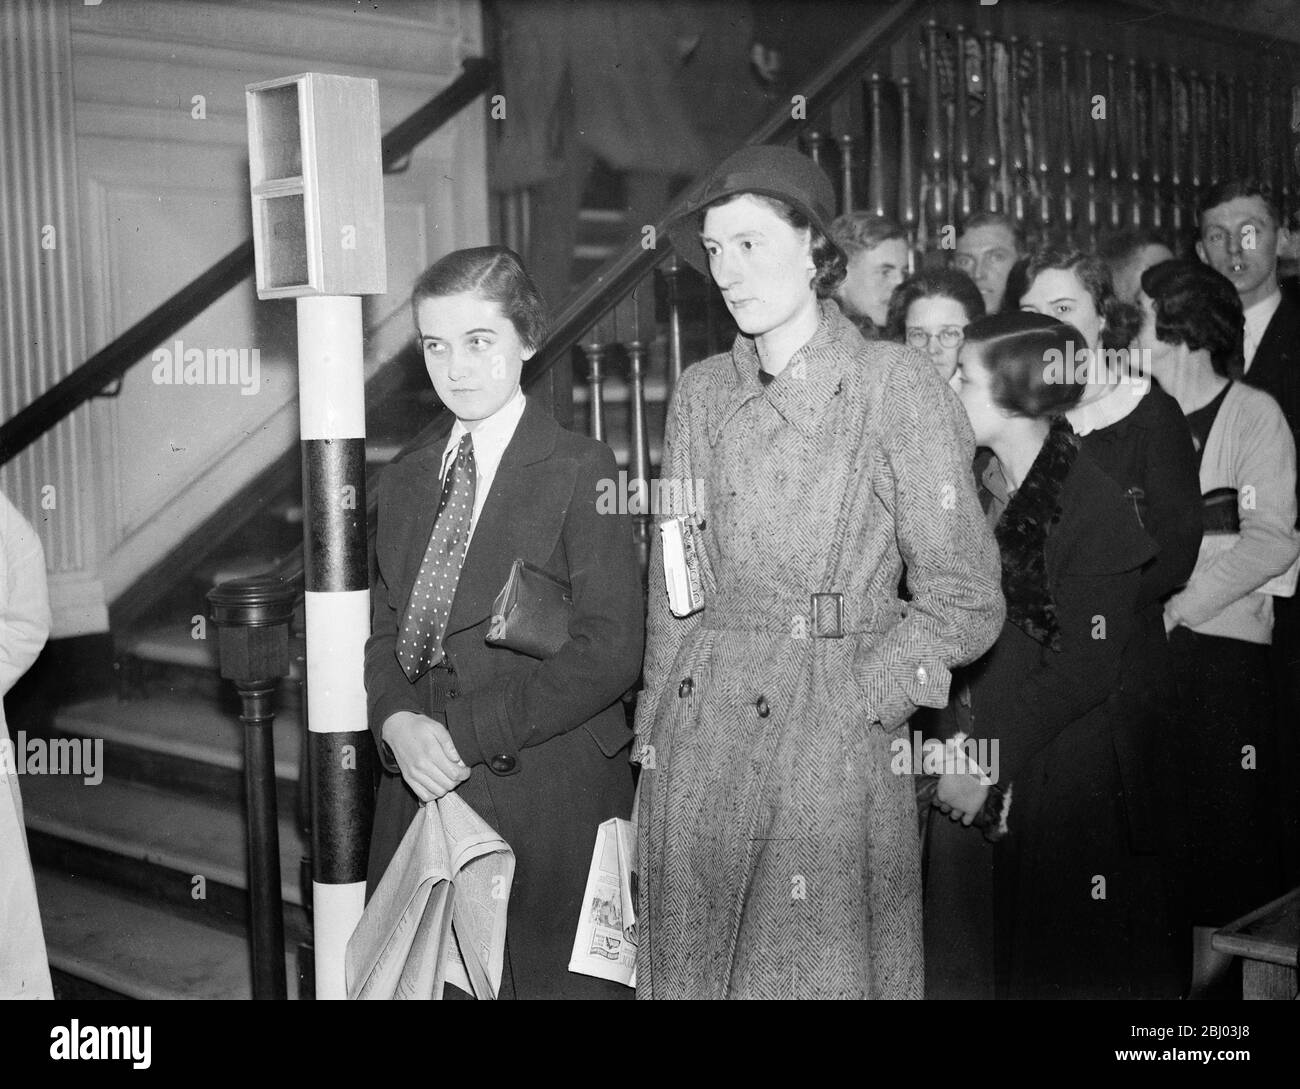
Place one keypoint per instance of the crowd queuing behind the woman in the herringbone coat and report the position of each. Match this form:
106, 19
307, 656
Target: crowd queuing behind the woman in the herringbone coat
1173, 779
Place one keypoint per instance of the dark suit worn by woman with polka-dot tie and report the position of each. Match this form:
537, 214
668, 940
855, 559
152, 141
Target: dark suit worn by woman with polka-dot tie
545, 740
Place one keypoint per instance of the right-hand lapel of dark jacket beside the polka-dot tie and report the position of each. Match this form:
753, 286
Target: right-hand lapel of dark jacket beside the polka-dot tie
513, 523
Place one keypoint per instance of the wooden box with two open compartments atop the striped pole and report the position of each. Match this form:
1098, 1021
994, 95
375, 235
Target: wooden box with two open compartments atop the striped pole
318, 186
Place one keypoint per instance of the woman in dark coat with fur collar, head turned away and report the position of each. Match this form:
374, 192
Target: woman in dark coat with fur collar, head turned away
1065, 912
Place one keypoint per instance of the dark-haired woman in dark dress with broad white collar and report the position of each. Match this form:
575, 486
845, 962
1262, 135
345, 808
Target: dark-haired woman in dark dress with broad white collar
1139, 437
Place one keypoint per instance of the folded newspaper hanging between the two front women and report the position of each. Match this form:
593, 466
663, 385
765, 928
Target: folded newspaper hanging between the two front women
606, 942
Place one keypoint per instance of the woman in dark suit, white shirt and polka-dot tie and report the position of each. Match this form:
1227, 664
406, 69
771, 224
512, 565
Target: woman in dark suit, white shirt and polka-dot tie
536, 748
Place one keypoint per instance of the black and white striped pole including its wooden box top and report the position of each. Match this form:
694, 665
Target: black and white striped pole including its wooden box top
318, 206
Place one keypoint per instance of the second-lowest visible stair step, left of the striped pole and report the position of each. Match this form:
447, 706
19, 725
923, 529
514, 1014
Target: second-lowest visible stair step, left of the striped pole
184, 838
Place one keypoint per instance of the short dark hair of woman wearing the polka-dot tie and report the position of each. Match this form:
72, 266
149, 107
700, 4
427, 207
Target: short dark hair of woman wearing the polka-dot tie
495, 274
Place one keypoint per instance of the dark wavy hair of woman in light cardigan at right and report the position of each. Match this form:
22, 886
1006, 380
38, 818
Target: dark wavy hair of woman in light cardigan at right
1198, 307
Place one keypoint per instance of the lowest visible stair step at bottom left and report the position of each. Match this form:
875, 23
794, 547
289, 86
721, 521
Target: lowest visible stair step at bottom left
140, 951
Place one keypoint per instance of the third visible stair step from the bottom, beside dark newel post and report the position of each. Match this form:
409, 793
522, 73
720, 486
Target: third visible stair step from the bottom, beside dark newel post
179, 730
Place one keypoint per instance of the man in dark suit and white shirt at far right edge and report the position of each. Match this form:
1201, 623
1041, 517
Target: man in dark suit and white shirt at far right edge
1242, 235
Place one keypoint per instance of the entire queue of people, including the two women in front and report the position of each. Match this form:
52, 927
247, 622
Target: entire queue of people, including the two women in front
1038, 497
